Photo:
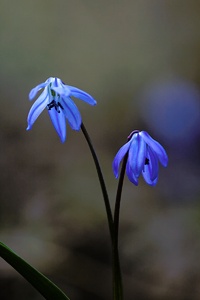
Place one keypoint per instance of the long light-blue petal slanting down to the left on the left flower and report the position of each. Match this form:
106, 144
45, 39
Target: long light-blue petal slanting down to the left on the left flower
36, 109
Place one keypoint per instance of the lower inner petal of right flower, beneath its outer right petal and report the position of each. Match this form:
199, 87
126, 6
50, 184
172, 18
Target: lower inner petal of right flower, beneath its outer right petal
150, 172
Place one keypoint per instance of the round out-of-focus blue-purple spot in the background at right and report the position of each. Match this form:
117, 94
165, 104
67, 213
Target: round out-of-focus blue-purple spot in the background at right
171, 109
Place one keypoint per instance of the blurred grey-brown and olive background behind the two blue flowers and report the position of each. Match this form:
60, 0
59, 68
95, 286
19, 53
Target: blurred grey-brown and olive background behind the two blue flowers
141, 61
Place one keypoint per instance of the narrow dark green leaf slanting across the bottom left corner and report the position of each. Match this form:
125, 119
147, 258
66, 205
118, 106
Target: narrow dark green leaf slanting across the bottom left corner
41, 283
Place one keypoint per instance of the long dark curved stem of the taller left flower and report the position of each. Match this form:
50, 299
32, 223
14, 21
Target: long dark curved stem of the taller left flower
117, 281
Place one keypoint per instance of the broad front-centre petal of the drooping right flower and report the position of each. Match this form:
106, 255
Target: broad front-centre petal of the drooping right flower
137, 154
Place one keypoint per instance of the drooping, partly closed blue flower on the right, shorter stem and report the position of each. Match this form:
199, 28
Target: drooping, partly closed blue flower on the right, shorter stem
144, 153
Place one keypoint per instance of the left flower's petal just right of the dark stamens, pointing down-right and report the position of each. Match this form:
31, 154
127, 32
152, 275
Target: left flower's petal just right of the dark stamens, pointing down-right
71, 112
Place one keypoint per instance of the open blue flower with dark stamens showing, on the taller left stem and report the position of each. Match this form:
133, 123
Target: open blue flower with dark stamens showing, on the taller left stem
56, 97
